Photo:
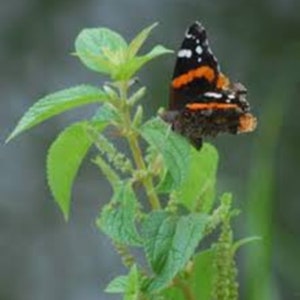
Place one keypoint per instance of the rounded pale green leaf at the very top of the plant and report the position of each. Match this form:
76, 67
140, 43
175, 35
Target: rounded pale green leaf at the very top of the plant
101, 49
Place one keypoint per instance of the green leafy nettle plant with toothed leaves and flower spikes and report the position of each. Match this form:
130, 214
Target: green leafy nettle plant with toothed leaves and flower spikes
178, 181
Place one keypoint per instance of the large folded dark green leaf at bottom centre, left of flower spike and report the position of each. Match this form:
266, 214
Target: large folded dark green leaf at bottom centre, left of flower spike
169, 242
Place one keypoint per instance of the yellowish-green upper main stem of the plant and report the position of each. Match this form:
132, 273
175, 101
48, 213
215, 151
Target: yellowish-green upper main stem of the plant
132, 139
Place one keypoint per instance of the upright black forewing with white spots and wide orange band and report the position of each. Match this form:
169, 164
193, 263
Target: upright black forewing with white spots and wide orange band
196, 70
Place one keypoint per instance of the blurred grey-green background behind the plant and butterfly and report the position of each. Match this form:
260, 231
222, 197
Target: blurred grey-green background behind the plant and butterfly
257, 43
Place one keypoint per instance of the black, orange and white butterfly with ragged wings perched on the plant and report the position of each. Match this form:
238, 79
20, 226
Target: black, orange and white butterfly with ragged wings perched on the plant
203, 102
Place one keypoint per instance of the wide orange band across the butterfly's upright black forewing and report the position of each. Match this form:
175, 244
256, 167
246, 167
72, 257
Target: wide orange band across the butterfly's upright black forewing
206, 72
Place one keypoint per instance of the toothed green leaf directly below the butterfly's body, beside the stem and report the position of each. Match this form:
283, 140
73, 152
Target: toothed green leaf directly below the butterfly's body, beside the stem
174, 148
